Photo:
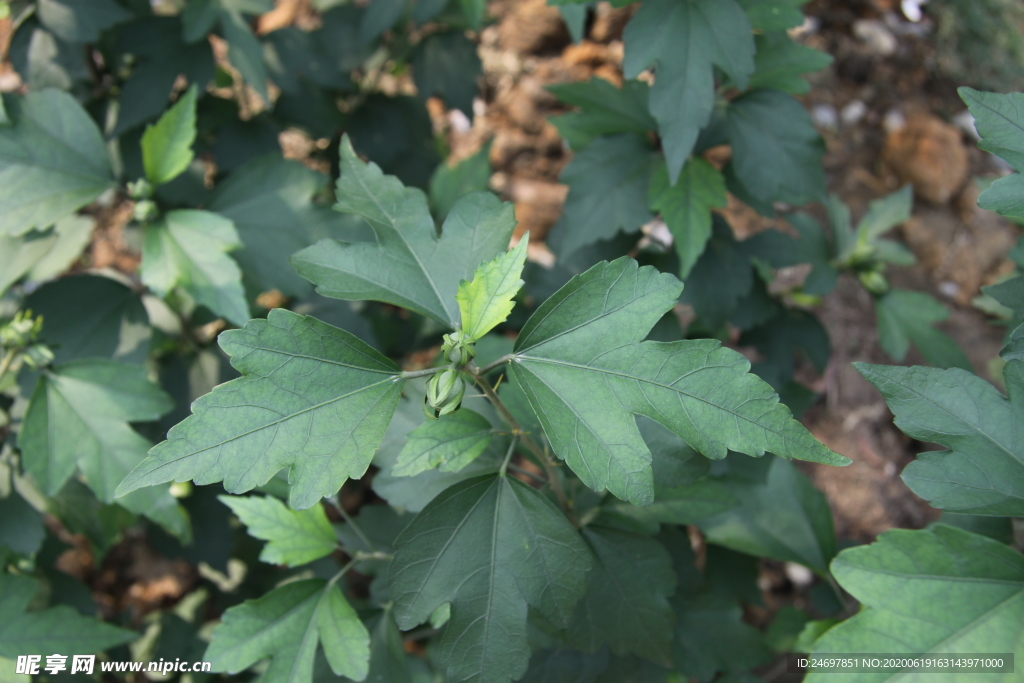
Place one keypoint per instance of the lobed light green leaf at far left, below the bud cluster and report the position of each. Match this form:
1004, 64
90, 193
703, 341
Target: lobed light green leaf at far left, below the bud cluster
78, 420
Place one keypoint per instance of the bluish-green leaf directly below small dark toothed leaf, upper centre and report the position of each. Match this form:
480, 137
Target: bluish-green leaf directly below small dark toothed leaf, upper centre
608, 192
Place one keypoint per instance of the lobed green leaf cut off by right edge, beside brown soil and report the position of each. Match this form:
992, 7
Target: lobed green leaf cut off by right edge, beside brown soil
1000, 121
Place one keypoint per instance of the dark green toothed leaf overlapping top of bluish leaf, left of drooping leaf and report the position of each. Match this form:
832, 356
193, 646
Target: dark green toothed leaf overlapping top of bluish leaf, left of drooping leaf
606, 110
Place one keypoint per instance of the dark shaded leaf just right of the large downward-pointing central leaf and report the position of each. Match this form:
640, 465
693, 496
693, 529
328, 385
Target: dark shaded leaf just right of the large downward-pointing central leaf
626, 606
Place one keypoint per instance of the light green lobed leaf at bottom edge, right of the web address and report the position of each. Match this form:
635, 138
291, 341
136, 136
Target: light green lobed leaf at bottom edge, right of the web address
286, 626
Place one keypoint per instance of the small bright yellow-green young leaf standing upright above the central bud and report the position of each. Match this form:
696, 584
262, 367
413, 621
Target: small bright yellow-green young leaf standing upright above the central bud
487, 301
